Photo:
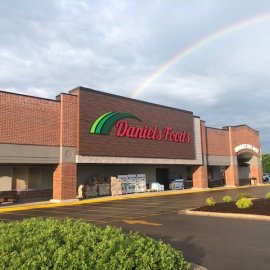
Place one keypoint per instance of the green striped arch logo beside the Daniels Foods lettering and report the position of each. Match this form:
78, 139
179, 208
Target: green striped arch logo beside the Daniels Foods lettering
104, 123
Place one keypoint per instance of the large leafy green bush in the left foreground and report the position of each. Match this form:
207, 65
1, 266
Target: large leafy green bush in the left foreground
68, 244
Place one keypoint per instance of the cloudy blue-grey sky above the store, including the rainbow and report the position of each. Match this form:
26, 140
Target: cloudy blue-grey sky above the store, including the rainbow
210, 57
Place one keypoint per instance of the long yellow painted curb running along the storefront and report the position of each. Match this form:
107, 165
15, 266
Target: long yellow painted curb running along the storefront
119, 198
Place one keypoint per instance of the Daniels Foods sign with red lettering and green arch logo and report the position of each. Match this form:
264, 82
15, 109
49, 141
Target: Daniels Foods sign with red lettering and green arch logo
105, 122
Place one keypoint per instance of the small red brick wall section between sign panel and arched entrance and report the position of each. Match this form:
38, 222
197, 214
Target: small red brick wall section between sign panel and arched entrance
218, 142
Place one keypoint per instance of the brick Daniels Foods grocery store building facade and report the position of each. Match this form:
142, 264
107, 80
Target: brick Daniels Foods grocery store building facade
50, 147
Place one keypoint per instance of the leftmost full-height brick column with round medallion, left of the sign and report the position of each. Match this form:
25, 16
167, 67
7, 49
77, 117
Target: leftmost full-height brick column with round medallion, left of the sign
65, 174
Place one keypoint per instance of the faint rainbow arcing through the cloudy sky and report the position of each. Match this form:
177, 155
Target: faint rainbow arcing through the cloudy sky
196, 46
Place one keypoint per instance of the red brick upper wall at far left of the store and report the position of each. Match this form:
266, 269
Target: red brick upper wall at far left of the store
29, 120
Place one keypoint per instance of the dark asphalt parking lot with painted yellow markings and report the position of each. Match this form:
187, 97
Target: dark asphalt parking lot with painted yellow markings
216, 243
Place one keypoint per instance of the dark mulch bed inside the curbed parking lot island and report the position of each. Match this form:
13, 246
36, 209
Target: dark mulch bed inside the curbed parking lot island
260, 207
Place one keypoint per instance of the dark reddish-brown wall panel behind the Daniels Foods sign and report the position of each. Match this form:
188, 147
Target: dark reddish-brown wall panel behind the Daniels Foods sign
94, 104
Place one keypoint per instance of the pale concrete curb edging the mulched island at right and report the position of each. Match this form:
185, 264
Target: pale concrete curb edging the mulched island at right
224, 215
